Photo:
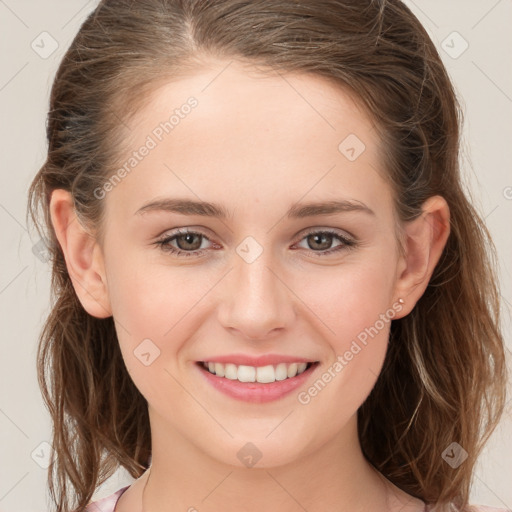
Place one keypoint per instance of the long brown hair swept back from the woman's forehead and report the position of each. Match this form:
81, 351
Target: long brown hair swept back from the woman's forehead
444, 376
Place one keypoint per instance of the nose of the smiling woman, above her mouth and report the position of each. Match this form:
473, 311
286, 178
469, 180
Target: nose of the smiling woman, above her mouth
256, 302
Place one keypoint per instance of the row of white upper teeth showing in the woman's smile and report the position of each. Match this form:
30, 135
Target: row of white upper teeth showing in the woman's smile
262, 374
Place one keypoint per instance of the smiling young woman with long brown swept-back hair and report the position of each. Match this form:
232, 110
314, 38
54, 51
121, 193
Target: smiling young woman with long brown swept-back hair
271, 290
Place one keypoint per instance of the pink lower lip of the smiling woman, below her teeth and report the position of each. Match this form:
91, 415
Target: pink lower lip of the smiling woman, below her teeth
256, 392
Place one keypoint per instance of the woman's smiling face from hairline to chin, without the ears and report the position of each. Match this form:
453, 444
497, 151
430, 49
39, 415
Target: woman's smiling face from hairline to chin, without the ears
269, 283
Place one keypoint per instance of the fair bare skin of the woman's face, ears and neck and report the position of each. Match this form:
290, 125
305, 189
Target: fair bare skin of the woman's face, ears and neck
256, 145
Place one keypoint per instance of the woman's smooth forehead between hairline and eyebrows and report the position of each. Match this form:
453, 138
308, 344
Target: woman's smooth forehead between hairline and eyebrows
249, 133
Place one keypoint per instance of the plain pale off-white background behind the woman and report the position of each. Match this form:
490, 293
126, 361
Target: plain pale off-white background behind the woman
474, 40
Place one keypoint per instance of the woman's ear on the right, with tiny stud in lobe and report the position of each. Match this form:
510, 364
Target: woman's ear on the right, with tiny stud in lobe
424, 240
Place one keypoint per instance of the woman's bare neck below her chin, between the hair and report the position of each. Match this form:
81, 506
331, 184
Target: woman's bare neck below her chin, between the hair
334, 477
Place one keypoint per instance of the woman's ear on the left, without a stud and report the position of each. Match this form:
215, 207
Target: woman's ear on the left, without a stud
83, 255
